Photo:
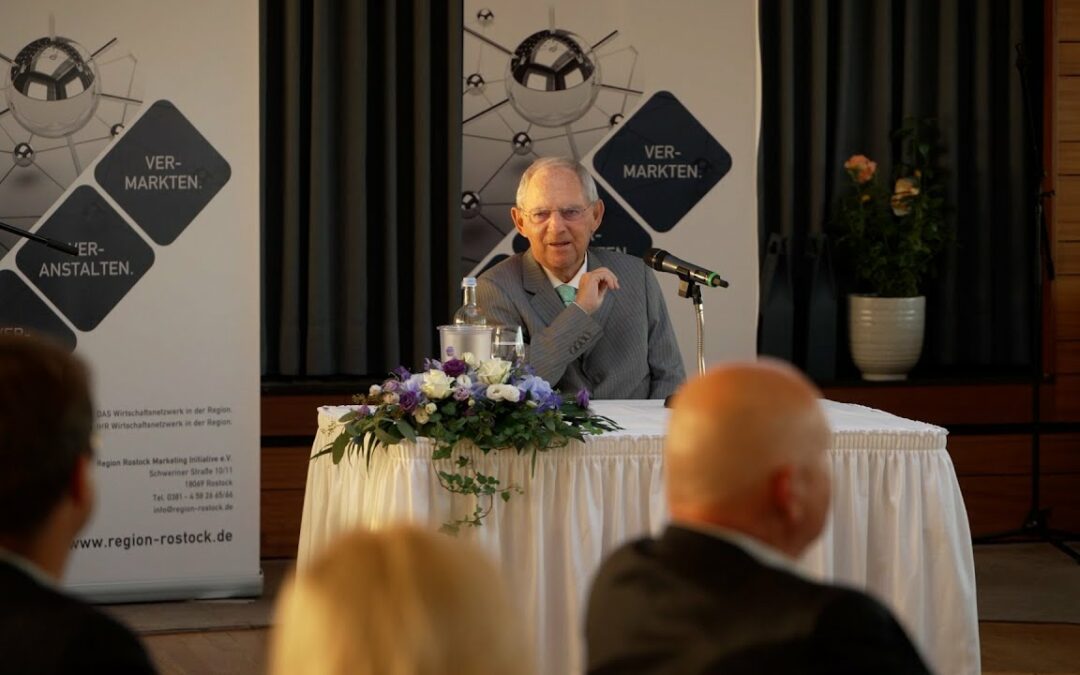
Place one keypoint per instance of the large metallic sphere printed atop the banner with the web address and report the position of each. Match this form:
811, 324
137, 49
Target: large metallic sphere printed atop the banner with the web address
55, 87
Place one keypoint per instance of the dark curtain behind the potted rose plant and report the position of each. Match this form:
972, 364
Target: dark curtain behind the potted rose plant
839, 76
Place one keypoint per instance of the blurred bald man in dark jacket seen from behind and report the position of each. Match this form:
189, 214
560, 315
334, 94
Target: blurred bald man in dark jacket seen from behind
719, 592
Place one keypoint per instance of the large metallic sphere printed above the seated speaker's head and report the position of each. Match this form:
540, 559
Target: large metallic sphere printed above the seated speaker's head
553, 78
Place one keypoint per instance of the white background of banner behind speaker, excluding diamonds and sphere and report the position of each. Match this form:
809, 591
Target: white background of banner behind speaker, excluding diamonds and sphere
703, 51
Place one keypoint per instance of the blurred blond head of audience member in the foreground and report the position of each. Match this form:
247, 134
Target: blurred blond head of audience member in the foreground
398, 602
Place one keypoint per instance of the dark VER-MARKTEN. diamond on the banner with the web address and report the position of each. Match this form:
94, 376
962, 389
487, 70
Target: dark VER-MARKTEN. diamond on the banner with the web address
163, 172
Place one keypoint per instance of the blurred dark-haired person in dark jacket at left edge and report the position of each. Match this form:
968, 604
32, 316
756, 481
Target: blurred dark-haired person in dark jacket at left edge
47, 495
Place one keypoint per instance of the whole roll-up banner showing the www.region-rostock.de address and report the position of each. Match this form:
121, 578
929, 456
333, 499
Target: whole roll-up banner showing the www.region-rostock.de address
130, 130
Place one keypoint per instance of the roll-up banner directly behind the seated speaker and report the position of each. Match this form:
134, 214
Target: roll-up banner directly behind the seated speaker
660, 101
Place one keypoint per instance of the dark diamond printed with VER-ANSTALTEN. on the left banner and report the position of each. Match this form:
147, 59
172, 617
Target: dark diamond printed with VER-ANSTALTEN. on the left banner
113, 258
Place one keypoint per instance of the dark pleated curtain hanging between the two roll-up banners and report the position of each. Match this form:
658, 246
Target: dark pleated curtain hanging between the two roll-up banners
361, 165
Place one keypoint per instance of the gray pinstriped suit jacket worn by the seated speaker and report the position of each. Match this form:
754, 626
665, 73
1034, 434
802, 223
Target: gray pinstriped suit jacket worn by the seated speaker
626, 349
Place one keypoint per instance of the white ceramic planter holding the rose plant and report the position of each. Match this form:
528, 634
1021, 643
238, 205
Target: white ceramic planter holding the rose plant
886, 335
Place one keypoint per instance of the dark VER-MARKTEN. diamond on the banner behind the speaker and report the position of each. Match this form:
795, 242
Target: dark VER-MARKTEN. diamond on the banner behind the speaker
663, 161
